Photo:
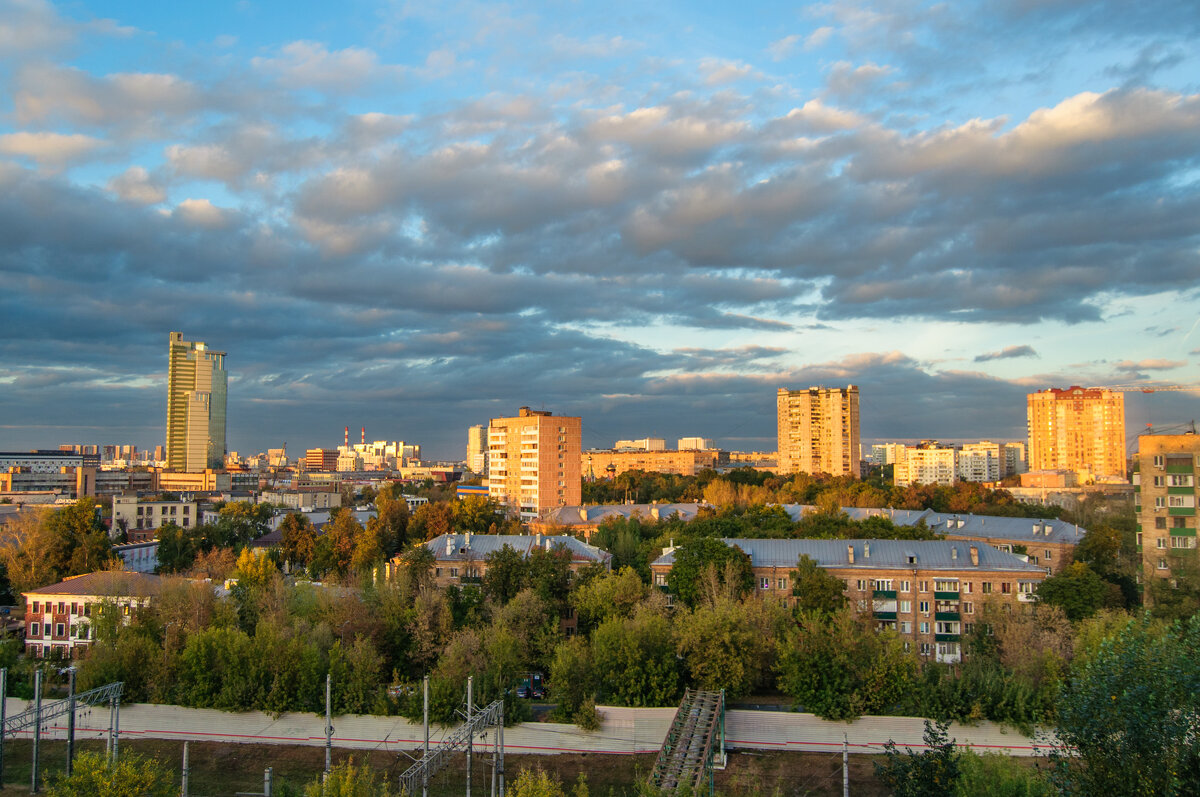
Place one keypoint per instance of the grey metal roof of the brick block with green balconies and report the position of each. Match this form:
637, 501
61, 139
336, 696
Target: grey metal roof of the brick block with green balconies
883, 555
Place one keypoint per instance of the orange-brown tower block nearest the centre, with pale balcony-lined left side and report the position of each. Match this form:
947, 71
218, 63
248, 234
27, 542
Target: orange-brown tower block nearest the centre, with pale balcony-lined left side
533, 462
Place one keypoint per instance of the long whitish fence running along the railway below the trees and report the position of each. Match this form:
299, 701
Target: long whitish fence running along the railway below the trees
623, 732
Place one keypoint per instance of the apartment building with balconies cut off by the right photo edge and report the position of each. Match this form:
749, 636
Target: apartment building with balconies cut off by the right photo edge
1167, 495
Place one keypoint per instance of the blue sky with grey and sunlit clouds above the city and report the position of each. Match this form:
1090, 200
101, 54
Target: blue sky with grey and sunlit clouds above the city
416, 217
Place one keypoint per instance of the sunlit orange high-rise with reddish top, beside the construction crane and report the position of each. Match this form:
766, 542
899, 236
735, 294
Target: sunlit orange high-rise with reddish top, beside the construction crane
1079, 430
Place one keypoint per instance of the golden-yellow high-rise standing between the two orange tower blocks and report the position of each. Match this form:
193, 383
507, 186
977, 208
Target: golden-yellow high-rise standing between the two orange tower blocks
819, 432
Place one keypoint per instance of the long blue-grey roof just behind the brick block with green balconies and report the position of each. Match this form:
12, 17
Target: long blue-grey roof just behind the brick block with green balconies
991, 528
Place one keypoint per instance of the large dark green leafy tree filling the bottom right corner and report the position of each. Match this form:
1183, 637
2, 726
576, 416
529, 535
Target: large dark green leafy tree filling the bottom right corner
1127, 721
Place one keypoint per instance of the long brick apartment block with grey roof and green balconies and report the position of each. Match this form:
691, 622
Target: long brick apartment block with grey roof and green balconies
928, 592
